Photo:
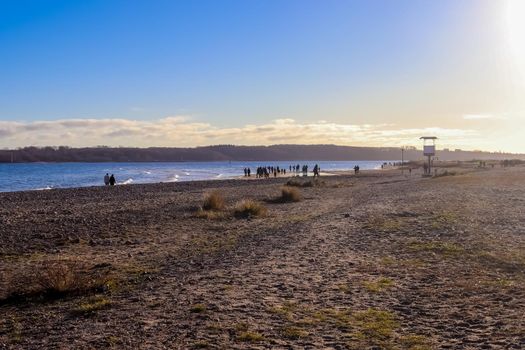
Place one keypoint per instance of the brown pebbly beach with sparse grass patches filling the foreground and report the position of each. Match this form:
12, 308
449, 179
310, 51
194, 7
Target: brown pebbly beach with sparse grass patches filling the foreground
375, 261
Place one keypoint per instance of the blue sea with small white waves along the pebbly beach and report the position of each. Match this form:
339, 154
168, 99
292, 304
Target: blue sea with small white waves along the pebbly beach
41, 176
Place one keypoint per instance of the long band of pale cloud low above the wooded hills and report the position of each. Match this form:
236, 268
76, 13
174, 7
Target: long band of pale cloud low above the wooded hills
183, 131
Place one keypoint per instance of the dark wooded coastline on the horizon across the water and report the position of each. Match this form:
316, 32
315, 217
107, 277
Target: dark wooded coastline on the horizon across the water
234, 153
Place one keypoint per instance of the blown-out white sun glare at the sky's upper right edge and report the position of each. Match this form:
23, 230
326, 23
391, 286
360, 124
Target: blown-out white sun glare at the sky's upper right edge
516, 33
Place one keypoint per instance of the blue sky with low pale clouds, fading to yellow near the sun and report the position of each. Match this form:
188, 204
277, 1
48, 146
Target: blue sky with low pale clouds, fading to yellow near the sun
225, 66
